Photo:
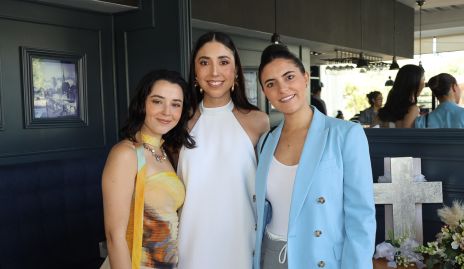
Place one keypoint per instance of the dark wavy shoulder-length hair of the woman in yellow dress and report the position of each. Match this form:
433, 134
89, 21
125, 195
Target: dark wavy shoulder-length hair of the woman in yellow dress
177, 136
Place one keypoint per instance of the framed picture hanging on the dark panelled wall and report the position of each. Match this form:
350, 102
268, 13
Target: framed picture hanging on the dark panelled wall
54, 88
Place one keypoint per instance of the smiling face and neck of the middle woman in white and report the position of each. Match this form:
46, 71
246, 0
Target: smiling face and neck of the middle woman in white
215, 73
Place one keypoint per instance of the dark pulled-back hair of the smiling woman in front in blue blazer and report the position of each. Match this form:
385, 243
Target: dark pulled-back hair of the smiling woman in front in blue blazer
278, 51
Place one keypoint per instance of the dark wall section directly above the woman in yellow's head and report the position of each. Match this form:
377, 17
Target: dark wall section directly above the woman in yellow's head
152, 38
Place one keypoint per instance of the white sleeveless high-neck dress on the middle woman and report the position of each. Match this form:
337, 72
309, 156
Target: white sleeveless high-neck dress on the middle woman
217, 223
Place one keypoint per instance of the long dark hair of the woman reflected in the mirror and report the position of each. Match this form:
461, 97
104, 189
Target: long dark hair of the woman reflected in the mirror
406, 85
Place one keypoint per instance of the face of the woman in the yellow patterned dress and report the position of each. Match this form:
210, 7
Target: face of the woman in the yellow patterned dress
163, 108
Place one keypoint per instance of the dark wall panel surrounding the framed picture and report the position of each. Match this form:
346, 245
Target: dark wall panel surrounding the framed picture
36, 26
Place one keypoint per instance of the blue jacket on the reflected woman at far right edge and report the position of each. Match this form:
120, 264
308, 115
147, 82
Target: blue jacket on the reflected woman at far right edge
446, 115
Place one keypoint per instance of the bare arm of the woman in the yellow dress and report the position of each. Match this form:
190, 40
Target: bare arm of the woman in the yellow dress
118, 186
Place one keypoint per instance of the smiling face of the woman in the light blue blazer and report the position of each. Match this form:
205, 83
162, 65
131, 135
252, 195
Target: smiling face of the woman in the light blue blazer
285, 85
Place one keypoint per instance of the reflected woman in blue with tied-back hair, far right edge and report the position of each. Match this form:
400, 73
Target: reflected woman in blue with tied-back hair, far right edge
448, 114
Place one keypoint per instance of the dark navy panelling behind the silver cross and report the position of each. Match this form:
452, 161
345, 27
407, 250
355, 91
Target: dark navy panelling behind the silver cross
442, 159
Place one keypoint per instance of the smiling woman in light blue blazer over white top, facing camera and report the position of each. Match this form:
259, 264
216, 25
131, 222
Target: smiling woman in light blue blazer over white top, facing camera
315, 172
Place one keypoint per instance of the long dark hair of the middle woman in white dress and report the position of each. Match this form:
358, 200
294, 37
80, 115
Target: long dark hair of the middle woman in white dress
238, 95
